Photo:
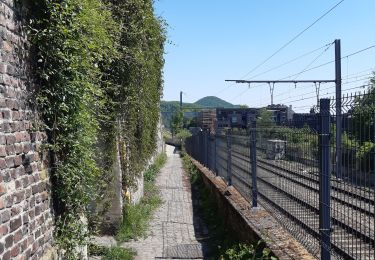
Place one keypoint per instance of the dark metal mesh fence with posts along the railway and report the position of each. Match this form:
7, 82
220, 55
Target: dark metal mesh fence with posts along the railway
317, 180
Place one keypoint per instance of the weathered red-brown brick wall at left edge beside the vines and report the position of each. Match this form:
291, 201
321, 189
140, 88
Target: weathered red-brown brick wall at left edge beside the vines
26, 221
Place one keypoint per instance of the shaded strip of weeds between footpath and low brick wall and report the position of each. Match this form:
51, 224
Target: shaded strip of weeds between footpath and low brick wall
224, 242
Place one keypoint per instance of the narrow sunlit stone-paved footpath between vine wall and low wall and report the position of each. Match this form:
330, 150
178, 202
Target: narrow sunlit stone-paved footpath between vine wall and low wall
174, 231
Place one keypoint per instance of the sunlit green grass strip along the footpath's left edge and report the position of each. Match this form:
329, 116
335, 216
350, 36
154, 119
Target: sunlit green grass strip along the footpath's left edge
136, 218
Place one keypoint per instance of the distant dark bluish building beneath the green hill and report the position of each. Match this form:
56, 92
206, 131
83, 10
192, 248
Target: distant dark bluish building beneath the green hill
235, 117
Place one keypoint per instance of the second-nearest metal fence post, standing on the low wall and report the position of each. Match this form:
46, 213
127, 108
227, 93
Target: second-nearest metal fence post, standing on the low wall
253, 158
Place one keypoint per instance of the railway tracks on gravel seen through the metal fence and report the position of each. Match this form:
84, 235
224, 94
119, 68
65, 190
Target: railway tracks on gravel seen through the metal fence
295, 196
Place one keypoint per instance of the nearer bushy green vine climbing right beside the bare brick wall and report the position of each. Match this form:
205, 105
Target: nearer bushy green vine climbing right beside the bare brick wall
71, 44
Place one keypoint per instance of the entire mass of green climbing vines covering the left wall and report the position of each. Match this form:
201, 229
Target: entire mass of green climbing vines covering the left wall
98, 78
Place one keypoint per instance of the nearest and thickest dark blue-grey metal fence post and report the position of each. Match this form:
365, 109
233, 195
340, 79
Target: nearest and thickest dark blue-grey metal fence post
324, 180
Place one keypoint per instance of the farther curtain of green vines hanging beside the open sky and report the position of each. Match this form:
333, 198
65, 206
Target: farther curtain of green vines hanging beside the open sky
137, 73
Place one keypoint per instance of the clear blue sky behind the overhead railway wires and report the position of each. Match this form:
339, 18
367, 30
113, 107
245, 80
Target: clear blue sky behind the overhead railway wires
214, 40
